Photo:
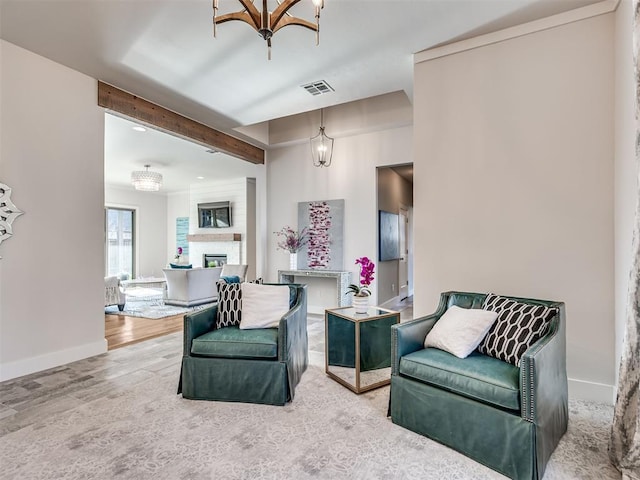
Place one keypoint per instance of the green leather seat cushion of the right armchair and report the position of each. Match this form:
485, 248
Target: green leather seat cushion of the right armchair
478, 376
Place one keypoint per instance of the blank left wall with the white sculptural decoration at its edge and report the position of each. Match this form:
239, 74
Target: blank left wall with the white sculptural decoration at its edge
51, 273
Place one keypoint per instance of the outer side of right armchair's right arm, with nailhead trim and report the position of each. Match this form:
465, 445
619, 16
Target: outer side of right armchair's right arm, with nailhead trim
543, 376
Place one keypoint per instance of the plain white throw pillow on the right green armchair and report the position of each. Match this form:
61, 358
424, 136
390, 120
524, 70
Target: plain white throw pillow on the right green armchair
459, 331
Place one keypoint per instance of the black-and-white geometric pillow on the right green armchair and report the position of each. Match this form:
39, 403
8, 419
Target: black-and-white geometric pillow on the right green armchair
519, 325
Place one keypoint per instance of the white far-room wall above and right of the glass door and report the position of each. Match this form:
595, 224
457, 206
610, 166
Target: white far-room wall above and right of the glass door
151, 227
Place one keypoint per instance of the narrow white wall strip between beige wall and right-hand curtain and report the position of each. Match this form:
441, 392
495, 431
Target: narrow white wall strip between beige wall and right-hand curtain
626, 187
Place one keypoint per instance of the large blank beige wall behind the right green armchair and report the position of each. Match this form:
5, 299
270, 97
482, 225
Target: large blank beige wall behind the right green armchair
514, 181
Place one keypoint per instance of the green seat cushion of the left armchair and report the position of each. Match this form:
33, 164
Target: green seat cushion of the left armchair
231, 342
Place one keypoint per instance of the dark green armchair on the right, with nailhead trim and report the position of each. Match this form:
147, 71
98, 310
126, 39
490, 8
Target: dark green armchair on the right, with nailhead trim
507, 417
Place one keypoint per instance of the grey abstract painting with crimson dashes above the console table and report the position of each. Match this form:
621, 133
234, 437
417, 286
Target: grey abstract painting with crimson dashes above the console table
324, 221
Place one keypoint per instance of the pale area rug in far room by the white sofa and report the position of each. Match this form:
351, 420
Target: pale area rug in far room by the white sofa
148, 303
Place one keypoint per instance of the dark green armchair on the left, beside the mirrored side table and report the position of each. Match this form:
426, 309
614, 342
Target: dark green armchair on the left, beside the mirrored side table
253, 366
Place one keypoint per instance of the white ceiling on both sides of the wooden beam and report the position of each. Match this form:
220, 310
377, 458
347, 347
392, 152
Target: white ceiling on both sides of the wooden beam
164, 51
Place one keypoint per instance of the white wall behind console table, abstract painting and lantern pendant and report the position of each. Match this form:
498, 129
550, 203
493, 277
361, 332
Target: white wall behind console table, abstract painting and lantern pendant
292, 178
